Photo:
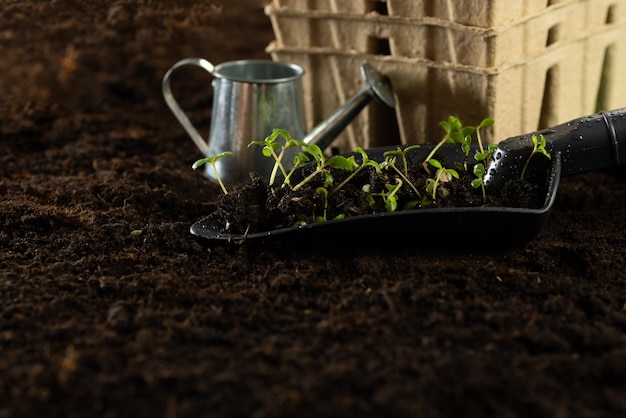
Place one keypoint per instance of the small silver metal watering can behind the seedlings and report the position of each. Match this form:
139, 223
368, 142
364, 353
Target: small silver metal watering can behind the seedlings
251, 99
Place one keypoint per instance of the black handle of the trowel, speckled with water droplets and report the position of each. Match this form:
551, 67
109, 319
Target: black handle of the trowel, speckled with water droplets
589, 143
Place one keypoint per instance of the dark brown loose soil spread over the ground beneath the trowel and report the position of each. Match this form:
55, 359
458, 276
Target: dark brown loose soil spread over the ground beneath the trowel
109, 307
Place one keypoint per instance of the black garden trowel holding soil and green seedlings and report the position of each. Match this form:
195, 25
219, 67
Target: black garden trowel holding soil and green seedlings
588, 143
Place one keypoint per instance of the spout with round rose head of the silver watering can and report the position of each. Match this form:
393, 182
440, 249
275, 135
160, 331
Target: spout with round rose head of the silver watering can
376, 86
